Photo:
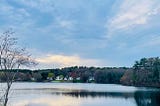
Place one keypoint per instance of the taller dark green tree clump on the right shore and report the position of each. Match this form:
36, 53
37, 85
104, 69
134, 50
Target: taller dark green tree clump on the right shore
145, 72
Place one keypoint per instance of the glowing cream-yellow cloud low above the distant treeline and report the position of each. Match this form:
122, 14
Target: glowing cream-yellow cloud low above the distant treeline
66, 61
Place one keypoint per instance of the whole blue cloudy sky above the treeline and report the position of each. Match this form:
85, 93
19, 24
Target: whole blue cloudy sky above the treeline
63, 33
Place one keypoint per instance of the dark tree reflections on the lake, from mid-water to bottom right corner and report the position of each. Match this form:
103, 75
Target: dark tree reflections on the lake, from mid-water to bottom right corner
142, 98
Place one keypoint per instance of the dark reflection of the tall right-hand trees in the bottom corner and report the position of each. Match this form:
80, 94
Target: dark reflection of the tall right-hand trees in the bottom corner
147, 98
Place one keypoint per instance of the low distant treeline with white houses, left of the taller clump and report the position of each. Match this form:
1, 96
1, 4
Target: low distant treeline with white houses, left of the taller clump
70, 74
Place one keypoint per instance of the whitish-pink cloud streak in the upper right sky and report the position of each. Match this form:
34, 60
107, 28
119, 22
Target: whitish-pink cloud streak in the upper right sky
131, 13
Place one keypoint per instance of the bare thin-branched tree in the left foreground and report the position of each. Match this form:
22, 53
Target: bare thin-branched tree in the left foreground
12, 57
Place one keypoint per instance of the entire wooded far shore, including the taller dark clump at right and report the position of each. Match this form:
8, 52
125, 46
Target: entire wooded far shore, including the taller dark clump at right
145, 72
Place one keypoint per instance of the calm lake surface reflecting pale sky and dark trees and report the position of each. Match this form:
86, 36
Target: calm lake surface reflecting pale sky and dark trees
75, 94
